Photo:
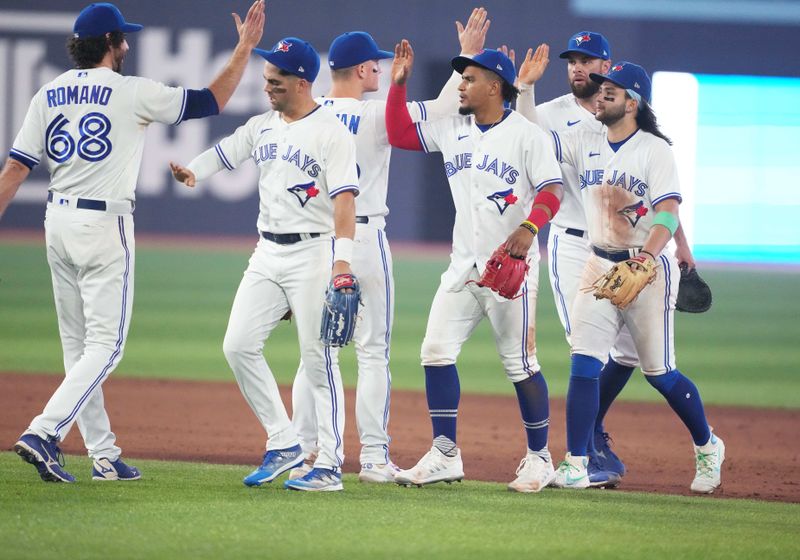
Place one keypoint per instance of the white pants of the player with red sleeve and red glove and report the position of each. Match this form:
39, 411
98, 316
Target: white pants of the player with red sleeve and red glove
454, 316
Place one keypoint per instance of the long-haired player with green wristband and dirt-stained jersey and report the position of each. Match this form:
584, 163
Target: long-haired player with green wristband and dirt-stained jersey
630, 190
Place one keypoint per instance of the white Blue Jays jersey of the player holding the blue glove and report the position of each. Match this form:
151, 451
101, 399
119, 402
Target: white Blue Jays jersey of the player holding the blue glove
303, 165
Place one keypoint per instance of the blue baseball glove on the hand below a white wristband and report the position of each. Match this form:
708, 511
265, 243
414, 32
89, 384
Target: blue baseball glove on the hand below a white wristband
339, 311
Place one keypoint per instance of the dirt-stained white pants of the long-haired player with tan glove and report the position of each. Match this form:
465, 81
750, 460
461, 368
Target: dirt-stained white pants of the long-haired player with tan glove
650, 318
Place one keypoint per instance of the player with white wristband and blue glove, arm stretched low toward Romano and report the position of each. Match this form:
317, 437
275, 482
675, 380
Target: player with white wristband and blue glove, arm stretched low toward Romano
307, 187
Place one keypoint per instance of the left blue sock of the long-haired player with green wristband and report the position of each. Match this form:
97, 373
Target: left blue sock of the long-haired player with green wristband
582, 402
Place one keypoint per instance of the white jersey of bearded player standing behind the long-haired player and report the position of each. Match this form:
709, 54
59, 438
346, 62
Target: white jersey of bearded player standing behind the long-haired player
562, 114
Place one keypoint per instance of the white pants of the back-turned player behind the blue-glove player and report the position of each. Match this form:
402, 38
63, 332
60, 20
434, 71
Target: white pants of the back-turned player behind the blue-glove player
372, 265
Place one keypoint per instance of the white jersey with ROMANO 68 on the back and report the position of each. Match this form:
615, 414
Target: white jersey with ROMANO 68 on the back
89, 127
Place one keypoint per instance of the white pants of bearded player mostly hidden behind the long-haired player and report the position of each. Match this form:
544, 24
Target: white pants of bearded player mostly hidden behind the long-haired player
566, 259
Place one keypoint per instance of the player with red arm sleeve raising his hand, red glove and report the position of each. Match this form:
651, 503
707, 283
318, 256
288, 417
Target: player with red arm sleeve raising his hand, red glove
506, 184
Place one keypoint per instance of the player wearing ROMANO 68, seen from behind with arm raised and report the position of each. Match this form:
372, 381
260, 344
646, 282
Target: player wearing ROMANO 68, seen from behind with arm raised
87, 126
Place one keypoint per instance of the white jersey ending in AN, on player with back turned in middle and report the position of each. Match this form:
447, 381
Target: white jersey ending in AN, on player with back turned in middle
366, 120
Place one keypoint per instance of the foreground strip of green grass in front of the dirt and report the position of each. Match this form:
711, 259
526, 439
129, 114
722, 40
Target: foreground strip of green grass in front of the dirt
183, 510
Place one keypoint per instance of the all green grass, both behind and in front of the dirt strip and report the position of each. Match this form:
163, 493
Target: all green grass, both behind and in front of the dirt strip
743, 352
